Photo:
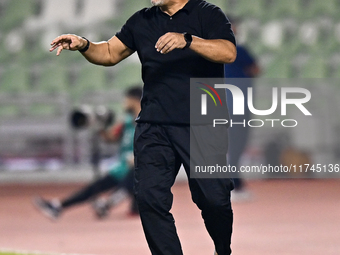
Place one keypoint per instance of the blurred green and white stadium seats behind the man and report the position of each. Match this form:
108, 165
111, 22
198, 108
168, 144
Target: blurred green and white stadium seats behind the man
292, 38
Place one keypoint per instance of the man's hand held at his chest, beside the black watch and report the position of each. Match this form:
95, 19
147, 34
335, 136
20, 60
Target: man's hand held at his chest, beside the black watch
169, 42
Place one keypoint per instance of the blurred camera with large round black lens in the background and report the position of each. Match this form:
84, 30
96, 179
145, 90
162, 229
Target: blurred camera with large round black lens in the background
97, 118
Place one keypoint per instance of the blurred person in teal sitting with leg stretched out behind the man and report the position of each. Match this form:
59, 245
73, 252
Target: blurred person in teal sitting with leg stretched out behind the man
120, 176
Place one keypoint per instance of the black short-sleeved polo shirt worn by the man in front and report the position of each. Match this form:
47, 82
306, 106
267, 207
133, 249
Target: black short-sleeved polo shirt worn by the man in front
166, 98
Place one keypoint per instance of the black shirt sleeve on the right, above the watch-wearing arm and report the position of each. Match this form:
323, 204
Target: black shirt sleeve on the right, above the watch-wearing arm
218, 26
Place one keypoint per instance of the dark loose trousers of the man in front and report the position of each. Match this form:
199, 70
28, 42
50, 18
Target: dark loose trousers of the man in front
159, 152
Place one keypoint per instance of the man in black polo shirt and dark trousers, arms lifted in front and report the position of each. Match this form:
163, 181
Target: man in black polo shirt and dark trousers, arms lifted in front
175, 40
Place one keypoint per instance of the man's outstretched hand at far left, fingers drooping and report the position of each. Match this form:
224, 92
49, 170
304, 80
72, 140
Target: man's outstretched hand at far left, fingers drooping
68, 42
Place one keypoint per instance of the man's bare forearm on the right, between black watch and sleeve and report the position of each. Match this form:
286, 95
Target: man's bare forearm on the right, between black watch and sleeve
219, 51
